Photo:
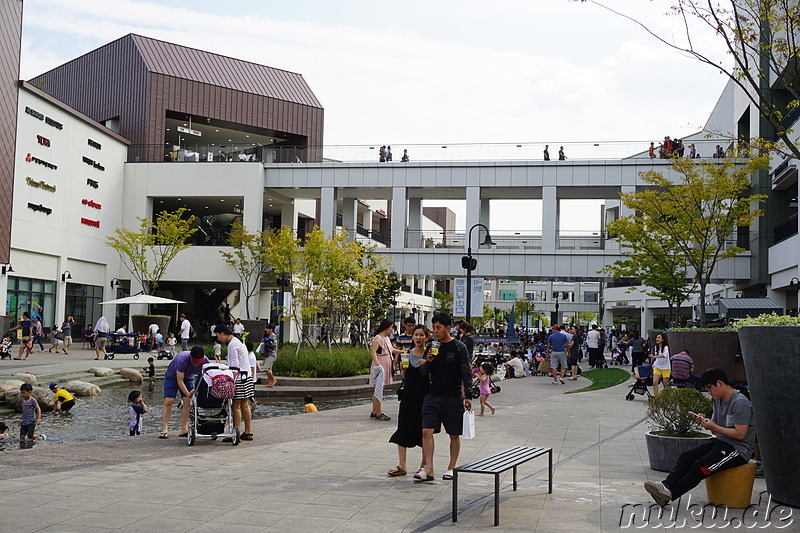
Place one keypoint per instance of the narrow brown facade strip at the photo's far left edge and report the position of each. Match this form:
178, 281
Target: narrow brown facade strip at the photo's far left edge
10, 47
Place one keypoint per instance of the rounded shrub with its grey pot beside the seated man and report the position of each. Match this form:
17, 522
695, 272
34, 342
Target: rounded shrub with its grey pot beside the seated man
673, 430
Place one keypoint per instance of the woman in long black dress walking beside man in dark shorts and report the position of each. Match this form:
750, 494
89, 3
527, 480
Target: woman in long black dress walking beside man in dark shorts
415, 387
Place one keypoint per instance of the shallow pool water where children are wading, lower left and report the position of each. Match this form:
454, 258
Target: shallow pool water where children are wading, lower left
106, 416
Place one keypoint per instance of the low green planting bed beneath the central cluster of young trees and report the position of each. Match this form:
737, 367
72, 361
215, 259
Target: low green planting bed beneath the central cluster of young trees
339, 362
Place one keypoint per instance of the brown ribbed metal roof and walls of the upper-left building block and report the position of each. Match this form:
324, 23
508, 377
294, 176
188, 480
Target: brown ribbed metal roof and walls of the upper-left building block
139, 79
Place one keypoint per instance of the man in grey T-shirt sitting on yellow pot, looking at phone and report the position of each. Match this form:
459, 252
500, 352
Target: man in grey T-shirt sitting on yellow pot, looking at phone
733, 426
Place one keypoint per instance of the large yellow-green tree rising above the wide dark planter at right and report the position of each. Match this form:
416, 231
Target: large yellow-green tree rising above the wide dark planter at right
695, 217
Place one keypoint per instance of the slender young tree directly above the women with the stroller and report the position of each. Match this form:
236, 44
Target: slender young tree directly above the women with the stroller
249, 258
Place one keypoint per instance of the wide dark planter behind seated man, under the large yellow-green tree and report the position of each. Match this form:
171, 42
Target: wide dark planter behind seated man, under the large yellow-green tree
710, 349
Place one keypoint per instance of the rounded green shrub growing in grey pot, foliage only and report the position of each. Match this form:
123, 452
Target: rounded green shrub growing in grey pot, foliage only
669, 412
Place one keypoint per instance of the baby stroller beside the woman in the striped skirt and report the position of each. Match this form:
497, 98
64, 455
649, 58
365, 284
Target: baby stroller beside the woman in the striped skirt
210, 416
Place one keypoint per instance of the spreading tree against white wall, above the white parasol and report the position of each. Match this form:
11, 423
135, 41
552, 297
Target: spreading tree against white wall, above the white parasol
147, 253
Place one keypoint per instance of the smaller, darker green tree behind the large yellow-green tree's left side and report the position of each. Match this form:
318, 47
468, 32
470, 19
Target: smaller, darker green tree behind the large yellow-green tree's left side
649, 258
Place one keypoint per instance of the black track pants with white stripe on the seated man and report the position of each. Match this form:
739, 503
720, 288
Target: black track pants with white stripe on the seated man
699, 463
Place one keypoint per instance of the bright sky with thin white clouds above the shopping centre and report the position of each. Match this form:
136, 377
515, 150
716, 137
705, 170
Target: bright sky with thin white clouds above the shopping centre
449, 71
